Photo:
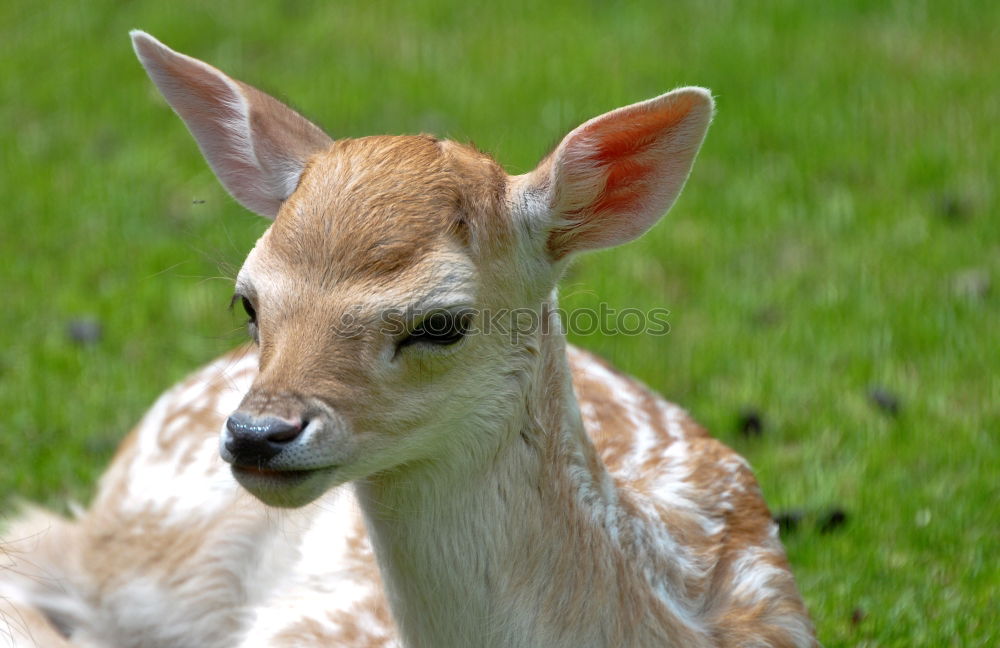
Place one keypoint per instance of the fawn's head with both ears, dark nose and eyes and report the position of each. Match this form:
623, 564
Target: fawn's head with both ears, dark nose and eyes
374, 294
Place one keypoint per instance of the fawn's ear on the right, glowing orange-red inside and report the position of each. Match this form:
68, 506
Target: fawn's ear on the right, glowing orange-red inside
612, 178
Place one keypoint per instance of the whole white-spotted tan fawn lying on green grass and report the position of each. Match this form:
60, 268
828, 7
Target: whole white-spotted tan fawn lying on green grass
512, 490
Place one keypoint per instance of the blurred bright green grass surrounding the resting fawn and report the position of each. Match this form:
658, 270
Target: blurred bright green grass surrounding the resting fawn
831, 268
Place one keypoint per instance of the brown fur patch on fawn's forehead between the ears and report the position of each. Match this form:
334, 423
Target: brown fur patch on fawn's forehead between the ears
367, 208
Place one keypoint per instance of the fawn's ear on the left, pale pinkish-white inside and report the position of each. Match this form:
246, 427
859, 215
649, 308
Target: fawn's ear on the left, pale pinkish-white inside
257, 146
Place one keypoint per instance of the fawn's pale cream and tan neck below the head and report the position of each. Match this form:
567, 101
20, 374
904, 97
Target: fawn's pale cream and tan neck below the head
519, 552
